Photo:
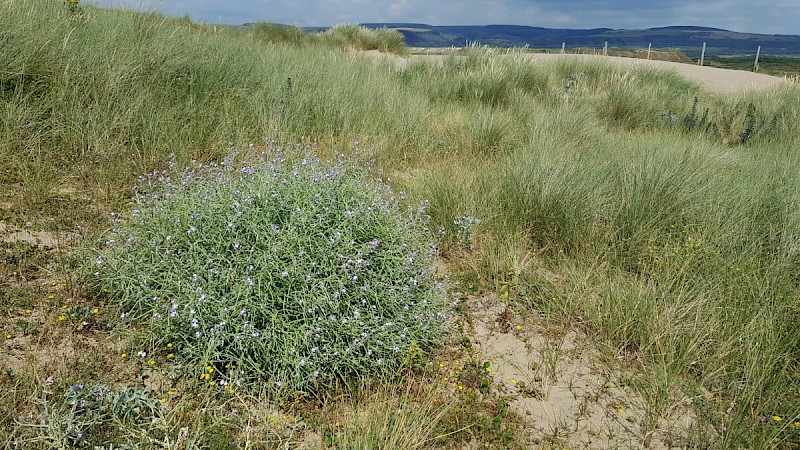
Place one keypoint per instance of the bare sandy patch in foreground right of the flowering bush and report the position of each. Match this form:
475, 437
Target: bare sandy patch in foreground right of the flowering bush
557, 385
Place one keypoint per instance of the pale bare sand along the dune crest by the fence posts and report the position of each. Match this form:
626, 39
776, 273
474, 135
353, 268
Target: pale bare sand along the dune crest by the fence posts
711, 78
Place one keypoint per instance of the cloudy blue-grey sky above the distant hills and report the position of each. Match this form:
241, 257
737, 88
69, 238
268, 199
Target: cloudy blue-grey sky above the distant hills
755, 16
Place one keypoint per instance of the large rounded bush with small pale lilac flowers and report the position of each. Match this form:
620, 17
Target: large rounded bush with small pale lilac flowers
305, 275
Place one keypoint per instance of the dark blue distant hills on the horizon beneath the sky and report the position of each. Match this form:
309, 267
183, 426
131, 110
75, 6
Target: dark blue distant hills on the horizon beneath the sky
689, 39
